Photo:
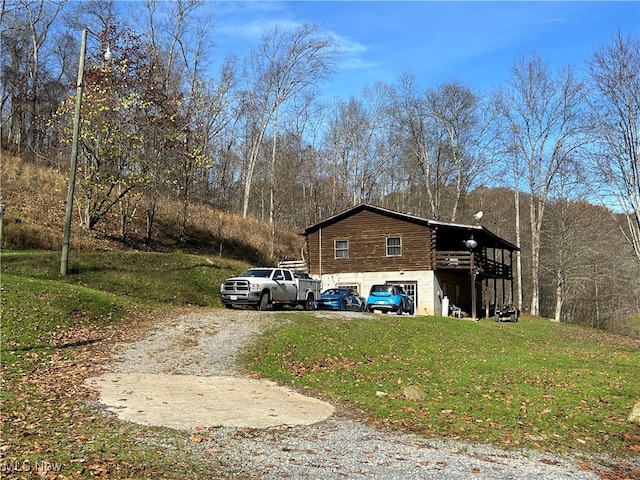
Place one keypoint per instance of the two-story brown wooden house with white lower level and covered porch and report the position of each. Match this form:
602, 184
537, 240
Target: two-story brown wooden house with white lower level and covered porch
367, 245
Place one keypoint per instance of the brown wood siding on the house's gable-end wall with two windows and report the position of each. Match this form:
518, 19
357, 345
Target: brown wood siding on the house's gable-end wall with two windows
367, 234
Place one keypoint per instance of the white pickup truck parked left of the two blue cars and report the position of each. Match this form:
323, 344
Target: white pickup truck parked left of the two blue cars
261, 287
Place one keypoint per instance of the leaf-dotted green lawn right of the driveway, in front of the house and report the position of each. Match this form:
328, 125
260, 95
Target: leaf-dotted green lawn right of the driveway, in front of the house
534, 383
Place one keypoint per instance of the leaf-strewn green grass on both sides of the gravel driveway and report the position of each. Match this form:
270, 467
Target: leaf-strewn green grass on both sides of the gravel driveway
535, 383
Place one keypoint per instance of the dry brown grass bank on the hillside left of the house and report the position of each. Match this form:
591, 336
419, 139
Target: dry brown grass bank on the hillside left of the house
35, 196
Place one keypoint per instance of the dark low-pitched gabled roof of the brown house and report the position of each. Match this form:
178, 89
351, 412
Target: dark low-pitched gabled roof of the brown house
480, 232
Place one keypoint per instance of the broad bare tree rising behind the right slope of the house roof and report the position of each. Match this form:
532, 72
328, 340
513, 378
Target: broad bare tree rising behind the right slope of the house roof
444, 132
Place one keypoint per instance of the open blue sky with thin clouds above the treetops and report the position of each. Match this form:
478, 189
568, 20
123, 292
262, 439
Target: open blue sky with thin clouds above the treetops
475, 42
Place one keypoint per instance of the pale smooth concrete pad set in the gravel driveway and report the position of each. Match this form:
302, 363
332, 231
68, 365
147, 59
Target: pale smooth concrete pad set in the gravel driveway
187, 401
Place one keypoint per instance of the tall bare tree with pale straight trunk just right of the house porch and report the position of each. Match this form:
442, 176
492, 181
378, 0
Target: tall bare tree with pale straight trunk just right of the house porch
543, 114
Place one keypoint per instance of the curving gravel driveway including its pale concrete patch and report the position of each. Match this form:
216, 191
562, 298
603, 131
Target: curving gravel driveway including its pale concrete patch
184, 376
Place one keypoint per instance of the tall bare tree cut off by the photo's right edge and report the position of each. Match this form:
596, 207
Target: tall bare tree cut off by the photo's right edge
615, 102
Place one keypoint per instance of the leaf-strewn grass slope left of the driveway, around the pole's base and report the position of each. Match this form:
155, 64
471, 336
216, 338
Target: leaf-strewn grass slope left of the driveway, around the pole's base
57, 331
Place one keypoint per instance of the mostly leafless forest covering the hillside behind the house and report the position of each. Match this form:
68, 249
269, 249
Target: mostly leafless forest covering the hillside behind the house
171, 152
